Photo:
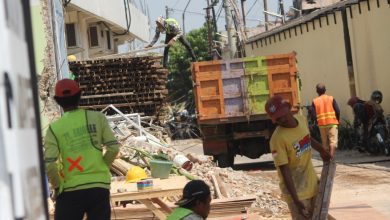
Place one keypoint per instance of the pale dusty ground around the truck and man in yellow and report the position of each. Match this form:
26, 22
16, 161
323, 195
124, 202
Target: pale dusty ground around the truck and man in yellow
361, 184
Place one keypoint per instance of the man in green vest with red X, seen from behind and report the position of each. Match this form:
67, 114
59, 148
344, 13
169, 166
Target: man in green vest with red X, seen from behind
76, 166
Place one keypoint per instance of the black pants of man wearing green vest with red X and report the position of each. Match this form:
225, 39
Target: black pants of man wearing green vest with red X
95, 202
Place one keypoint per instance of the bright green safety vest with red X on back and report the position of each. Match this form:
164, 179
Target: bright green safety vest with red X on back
82, 162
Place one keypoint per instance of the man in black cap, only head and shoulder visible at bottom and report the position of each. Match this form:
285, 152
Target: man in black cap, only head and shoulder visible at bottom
195, 203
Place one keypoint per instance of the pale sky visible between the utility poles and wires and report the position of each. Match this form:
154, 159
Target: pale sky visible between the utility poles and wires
195, 14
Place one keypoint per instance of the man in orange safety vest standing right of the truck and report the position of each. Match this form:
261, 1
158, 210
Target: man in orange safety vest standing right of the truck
327, 113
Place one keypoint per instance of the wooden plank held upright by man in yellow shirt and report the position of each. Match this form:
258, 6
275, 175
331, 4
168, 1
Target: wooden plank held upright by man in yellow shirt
325, 190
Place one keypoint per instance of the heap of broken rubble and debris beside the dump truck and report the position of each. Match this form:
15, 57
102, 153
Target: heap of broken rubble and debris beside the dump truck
225, 183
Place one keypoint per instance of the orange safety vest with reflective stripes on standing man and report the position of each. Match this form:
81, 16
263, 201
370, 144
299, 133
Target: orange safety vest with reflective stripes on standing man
324, 110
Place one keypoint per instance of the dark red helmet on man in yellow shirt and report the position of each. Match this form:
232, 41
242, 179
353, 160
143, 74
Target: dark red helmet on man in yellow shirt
277, 107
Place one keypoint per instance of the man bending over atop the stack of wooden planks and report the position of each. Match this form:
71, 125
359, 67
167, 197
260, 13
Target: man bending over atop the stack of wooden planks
173, 33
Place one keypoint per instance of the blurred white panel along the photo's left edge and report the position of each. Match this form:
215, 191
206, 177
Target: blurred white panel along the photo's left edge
22, 181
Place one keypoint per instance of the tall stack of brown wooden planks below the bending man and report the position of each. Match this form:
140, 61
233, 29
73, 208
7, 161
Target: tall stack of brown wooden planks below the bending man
132, 84
